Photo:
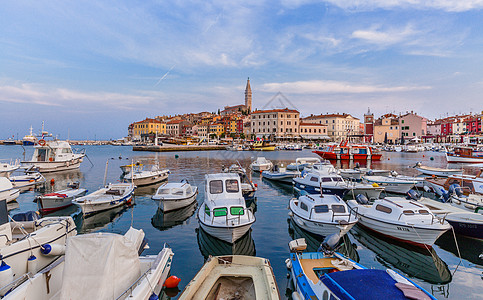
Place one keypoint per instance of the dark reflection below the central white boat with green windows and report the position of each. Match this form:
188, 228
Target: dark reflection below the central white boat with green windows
209, 245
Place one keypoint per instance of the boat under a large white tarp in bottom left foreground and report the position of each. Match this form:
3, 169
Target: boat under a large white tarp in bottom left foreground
99, 266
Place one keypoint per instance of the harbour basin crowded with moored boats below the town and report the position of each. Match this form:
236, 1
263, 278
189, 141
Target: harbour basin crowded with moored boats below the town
226, 233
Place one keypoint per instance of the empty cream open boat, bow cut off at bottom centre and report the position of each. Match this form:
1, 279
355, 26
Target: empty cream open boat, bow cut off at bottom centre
233, 277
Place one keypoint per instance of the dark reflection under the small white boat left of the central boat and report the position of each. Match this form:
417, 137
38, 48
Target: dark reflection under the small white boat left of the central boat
165, 220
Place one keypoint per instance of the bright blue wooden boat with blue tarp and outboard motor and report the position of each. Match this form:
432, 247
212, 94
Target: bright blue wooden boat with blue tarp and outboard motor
330, 275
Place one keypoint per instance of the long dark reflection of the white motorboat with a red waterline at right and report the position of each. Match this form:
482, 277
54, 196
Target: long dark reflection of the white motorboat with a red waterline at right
422, 263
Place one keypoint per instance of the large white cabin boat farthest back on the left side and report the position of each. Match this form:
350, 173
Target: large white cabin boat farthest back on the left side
54, 156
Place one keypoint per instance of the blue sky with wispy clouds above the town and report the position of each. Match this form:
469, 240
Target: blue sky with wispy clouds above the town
91, 68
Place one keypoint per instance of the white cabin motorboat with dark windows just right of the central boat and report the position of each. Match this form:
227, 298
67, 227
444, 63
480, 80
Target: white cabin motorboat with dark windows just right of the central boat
322, 215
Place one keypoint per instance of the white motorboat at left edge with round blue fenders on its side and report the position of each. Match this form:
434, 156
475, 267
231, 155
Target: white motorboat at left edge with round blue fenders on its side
29, 243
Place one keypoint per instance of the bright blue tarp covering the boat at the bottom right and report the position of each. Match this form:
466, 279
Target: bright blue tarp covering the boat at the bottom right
363, 284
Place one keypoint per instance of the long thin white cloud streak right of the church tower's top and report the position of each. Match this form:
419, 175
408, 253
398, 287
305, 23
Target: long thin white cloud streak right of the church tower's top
326, 87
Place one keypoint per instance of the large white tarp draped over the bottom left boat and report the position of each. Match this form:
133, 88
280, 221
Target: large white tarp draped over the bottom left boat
99, 266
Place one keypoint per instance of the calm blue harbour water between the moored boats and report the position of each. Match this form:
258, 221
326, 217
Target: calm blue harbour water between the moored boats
440, 270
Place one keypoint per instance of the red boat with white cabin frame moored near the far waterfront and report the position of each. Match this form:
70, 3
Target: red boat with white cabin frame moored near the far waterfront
348, 152
